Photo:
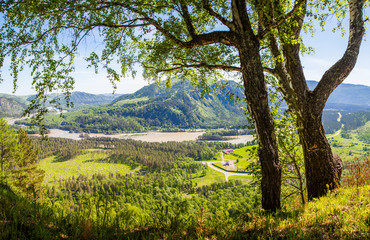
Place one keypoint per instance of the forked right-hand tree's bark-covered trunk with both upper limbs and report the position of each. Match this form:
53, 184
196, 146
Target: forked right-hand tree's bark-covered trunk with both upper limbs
321, 170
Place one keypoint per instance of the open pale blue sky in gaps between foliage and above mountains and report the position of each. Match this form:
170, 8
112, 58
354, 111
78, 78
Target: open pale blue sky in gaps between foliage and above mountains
329, 47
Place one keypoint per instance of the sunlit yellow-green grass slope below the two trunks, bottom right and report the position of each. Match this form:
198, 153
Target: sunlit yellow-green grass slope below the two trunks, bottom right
344, 214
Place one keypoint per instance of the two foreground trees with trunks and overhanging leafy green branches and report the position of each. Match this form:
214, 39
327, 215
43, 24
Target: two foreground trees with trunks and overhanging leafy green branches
199, 40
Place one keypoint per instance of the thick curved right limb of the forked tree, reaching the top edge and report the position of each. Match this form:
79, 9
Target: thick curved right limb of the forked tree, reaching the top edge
343, 67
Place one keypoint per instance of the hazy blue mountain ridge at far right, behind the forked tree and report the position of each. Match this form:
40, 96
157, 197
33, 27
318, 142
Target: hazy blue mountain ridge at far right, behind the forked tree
347, 97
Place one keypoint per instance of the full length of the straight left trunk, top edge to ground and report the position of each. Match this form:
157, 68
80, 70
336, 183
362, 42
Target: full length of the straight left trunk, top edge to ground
257, 101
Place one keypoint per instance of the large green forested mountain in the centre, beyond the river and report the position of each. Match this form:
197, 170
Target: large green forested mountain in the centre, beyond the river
156, 107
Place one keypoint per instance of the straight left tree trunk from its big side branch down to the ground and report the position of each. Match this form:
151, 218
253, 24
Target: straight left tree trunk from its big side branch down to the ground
257, 101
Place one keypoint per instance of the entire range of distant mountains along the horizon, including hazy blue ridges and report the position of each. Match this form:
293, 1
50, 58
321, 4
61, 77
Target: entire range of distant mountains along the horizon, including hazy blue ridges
179, 107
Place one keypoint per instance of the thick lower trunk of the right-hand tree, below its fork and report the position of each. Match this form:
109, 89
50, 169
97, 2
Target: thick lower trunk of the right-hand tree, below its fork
321, 174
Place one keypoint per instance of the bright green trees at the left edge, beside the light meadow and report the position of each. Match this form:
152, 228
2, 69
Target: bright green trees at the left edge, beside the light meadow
18, 159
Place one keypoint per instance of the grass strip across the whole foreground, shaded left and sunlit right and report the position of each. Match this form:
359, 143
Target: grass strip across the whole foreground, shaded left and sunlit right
344, 214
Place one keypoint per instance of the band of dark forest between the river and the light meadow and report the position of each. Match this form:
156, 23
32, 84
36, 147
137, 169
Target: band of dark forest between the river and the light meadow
131, 152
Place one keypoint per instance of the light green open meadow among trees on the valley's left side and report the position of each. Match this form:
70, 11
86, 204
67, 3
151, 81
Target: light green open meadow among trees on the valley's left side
87, 163
